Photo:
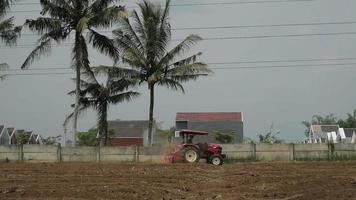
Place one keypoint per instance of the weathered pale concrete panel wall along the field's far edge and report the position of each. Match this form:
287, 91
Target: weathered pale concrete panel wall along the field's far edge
268, 152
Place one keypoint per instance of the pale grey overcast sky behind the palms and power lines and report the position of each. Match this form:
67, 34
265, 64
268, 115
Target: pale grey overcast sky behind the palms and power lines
282, 96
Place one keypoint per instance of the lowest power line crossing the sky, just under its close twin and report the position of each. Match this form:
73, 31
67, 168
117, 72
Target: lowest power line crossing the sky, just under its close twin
213, 68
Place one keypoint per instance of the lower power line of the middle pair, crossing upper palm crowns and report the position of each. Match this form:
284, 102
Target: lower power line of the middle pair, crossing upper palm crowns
219, 38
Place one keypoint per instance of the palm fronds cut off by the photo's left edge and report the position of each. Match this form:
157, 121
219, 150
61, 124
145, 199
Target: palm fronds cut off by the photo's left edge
8, 32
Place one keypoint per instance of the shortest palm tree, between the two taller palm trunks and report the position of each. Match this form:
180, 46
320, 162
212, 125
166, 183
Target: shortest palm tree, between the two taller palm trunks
98, 96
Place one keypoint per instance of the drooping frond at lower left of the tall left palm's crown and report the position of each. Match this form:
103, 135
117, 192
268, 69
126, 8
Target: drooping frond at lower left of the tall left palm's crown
44, 48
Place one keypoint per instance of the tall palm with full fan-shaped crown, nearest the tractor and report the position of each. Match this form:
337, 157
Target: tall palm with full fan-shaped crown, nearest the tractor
144, 40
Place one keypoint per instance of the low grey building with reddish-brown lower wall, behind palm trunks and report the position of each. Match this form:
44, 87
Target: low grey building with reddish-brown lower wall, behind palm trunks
130, 133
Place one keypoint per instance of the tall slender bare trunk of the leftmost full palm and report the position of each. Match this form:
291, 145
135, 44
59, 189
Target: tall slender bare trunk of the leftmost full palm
77, 56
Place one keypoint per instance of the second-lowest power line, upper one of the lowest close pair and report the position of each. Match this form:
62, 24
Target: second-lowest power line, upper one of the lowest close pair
218, 63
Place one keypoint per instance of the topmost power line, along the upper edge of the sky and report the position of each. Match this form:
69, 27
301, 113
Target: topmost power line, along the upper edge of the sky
190, 4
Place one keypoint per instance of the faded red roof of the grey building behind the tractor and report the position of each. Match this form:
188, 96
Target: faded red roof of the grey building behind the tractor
210, 116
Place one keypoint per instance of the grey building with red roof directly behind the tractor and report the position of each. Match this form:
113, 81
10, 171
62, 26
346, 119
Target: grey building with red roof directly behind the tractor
212, 122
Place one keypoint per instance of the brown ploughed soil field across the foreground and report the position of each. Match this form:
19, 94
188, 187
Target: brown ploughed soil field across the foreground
275, 180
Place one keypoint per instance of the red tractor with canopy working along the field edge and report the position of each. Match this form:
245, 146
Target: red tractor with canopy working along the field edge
189, 152
